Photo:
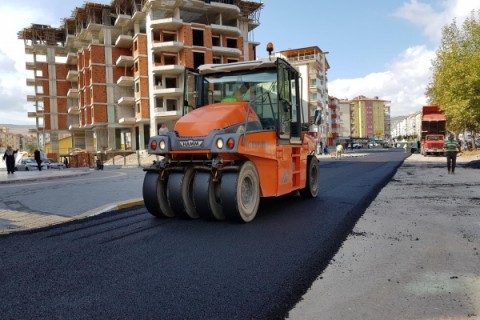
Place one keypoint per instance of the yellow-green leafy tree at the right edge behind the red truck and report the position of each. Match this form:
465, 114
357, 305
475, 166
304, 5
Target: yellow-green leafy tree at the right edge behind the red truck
455, 85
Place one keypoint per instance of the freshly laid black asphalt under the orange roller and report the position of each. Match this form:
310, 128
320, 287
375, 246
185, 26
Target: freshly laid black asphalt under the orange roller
130, 265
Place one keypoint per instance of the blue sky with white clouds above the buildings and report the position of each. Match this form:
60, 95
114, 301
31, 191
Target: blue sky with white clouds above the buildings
378, 48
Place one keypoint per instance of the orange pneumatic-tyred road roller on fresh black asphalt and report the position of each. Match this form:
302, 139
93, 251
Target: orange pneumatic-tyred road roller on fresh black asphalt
242, 137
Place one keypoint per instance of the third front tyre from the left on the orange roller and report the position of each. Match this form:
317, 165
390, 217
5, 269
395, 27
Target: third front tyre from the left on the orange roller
205, 197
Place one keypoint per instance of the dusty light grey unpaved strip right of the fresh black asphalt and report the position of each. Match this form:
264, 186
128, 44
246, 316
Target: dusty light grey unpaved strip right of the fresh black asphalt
414, 253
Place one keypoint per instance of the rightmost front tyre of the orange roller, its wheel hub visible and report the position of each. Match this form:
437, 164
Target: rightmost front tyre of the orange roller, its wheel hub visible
240, 193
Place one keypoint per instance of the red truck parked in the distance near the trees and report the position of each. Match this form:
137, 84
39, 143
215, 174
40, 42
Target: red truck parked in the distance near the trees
433, 131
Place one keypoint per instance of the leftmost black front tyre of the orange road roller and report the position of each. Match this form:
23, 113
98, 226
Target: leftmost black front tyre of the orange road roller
155, 197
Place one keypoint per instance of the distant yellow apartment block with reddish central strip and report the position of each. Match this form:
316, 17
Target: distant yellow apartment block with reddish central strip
370, 117
